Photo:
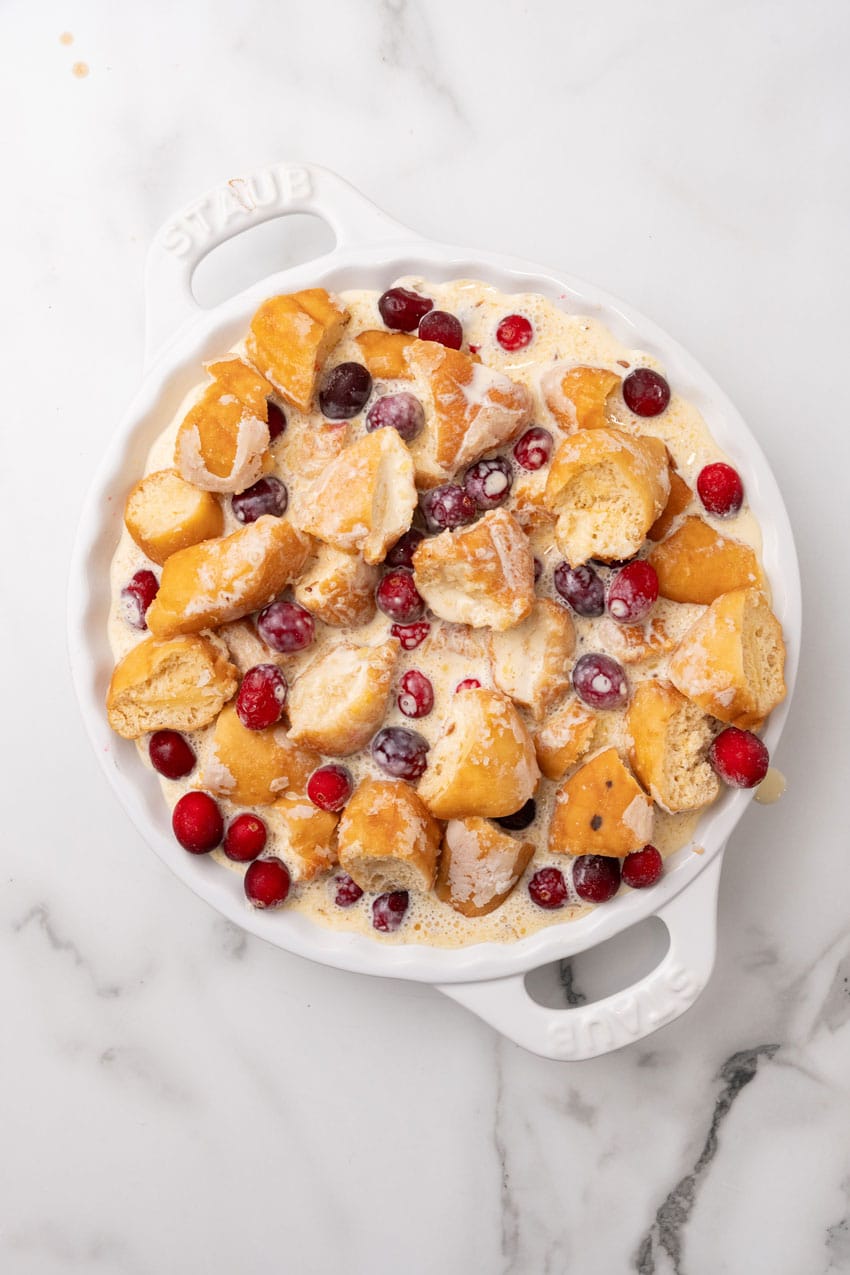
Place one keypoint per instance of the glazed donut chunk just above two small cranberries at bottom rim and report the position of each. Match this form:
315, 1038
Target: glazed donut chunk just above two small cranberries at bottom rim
388, 840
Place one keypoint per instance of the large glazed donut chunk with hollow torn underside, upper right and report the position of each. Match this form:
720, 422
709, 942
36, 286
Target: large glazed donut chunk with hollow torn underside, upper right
607, 489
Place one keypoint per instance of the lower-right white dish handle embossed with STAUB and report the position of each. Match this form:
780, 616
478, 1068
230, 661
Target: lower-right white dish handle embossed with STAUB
589, 1031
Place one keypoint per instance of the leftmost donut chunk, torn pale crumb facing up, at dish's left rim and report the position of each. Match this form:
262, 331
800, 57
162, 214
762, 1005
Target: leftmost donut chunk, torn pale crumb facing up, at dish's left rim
178, 685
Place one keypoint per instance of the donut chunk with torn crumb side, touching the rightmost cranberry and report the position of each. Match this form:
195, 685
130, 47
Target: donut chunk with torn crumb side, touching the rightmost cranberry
671, 738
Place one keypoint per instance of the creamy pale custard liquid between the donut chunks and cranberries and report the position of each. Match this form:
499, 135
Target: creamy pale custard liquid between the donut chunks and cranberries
453, 653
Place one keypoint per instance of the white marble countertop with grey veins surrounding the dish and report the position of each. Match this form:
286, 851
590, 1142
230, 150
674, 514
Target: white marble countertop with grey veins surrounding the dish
179, 1097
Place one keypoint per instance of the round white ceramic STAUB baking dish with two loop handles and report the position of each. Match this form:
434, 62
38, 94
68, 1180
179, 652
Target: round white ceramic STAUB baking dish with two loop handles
371, 252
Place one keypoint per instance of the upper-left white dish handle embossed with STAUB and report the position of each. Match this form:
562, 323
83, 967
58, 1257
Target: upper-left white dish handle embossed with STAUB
236, 206
